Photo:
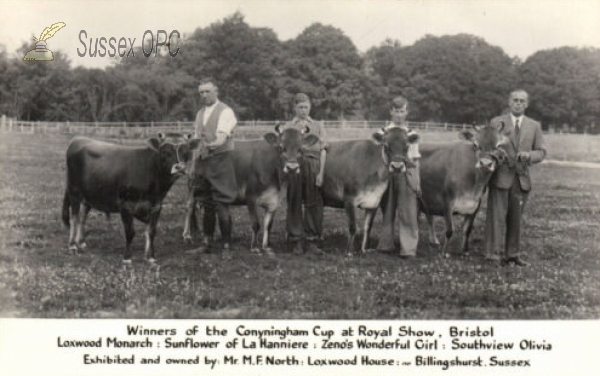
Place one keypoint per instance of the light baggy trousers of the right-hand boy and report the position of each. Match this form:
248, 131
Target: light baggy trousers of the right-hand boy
402, 198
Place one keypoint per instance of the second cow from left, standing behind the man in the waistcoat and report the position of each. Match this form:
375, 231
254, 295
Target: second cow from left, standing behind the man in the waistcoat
260, 170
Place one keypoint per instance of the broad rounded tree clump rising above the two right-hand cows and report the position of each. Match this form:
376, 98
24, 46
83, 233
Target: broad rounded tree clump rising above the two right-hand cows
457, 78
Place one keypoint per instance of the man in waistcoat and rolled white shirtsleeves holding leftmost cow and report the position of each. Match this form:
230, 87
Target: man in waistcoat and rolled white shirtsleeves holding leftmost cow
212, 170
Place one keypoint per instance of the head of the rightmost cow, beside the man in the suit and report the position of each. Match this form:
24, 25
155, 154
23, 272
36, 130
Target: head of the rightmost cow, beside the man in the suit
488, 142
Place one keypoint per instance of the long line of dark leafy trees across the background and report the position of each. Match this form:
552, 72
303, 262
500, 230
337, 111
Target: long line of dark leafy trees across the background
458, 79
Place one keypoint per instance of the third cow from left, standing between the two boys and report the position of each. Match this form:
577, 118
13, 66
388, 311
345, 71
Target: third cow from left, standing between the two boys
357, 174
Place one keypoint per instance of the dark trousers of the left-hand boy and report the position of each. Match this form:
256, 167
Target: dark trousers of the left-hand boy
303, 189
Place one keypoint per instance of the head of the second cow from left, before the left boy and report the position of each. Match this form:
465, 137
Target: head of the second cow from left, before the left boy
289, 143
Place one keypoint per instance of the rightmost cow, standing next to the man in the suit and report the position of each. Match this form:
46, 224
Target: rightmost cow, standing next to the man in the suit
454, 176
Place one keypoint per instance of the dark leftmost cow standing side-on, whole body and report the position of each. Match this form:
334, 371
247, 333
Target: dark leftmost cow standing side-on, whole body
129, 180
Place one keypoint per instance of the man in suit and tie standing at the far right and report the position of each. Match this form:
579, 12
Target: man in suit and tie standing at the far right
511, 183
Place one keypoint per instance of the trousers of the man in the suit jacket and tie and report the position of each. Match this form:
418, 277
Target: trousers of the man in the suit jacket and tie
504, 210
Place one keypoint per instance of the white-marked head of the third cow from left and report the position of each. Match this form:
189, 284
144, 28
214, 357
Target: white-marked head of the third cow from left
399, 148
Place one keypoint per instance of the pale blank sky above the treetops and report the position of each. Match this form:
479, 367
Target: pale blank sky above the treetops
519, 27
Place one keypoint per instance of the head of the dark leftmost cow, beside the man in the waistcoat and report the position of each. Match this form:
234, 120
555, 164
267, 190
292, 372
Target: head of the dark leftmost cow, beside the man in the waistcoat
174, 151
